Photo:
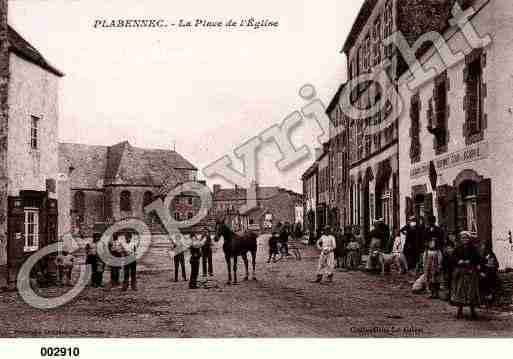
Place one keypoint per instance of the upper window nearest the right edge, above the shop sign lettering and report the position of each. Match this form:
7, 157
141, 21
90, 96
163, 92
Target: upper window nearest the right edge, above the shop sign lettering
475, 93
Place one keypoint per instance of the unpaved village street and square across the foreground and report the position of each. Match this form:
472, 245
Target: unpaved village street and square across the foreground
282, 303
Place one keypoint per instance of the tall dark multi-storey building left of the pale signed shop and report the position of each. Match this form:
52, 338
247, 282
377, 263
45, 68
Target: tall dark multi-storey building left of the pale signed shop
373, 138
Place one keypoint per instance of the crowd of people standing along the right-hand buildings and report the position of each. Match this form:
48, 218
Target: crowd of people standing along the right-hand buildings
466, 266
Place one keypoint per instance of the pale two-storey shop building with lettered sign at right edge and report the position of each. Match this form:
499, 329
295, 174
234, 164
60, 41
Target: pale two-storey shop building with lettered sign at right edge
456, 132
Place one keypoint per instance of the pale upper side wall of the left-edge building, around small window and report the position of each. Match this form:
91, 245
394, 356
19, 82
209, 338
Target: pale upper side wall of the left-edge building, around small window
33, 91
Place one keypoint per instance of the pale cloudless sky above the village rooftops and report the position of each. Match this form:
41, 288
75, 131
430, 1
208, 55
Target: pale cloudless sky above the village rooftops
201, 91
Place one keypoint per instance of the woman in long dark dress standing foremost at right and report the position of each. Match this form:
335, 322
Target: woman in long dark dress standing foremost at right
465, 287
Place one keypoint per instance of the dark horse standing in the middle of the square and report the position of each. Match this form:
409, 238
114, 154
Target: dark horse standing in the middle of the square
236, 245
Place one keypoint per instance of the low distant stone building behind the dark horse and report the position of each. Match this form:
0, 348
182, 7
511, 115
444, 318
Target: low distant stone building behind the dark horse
274, 204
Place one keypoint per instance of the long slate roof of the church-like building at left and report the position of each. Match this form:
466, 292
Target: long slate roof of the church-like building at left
98, 166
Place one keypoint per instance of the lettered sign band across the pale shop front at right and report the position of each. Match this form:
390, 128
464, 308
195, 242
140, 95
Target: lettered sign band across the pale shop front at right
454, 159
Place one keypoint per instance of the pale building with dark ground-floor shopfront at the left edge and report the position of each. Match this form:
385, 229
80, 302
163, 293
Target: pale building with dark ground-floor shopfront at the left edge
29, 115
